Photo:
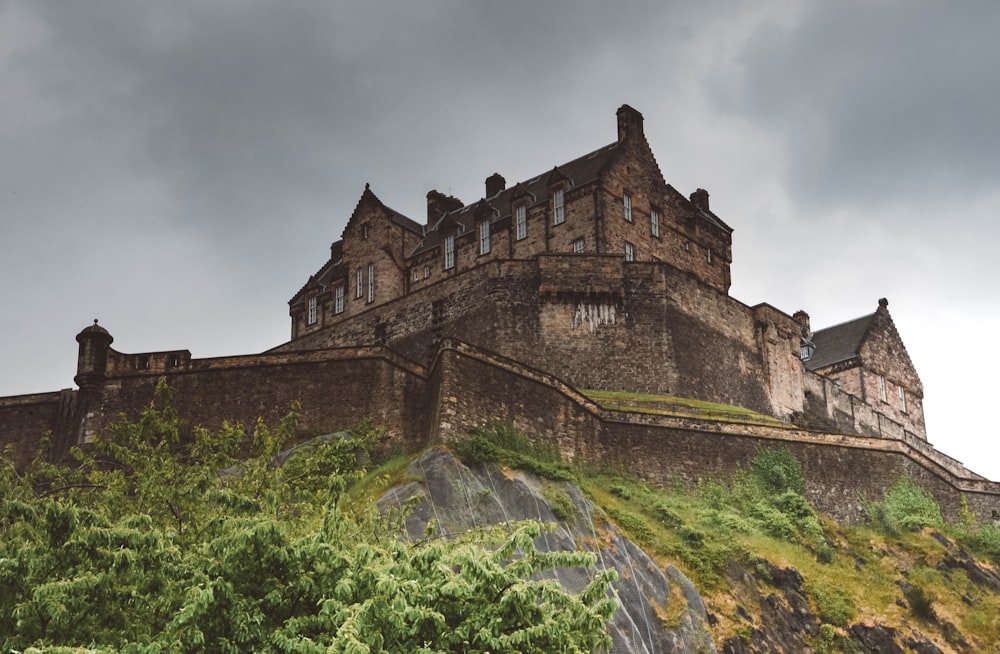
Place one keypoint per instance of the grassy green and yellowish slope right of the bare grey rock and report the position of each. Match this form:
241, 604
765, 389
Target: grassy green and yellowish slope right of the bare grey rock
759, 519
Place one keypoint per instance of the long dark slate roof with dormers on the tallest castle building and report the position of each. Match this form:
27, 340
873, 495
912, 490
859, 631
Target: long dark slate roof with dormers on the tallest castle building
580, 171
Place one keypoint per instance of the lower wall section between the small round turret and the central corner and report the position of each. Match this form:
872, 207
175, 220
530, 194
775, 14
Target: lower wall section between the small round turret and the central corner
335, 388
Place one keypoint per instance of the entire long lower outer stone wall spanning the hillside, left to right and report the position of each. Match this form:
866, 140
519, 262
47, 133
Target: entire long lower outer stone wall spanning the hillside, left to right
465, 386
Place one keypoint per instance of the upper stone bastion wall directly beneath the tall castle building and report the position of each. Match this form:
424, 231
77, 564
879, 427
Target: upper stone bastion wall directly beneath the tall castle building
596, 322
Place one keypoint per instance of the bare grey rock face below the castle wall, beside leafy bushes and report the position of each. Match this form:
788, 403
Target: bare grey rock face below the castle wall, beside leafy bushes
660, 610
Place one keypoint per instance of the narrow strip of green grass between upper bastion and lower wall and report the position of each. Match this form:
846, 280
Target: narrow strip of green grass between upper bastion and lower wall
680, 407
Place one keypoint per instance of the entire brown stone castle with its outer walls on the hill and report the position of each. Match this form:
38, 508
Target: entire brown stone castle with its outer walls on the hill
588, 305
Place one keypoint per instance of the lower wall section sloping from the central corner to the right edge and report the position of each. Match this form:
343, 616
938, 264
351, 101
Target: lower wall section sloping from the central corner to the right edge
841, 471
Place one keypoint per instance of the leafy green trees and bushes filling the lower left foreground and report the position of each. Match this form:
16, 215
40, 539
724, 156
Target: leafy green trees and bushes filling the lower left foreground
158, 540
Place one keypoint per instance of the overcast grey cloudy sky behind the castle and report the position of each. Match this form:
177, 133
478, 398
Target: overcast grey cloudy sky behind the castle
178, 169
